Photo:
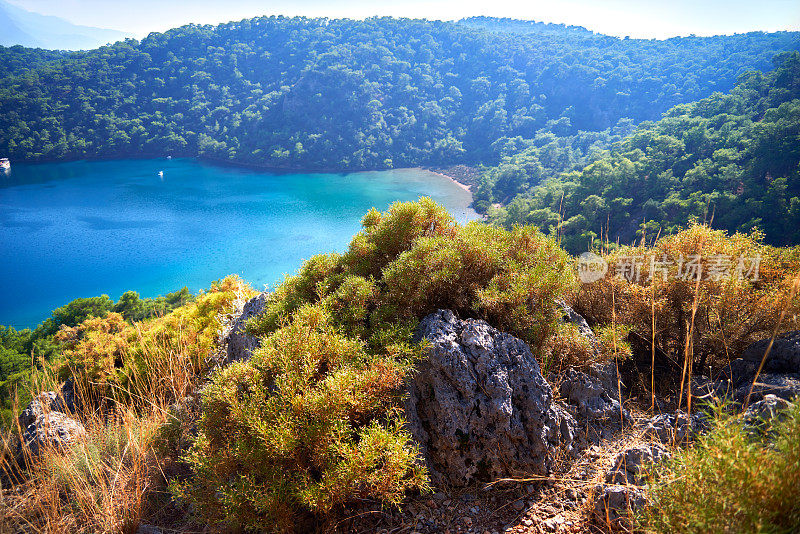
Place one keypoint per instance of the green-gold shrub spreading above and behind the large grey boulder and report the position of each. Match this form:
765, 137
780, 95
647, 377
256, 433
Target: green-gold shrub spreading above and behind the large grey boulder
413, 259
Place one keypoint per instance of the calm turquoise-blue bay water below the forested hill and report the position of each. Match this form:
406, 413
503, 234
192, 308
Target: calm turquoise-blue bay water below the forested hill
82, 229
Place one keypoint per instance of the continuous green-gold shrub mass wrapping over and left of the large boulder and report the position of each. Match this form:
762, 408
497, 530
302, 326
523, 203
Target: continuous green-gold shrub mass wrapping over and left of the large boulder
315, 419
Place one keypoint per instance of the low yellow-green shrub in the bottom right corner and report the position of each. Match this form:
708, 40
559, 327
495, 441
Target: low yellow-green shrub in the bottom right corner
732, 481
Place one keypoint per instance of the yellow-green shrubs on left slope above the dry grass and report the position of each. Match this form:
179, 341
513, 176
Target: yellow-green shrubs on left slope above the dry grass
161, 357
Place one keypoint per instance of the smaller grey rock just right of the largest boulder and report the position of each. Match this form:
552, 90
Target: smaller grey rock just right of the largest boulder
595, 393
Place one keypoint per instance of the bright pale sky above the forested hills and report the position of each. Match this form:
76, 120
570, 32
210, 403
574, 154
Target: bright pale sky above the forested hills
637, 18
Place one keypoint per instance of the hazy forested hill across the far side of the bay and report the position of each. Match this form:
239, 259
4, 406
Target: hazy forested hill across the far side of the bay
344, 94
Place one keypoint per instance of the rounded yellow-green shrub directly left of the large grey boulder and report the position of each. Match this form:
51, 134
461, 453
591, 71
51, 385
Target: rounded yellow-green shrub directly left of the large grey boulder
310, 423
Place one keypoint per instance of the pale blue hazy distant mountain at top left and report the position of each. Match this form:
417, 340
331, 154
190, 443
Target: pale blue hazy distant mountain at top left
18, 26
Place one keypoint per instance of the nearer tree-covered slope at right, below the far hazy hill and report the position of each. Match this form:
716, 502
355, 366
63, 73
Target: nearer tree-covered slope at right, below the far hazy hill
730, 159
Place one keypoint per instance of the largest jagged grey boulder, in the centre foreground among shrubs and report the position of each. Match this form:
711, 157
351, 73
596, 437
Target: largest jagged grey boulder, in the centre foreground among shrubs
479, 406
